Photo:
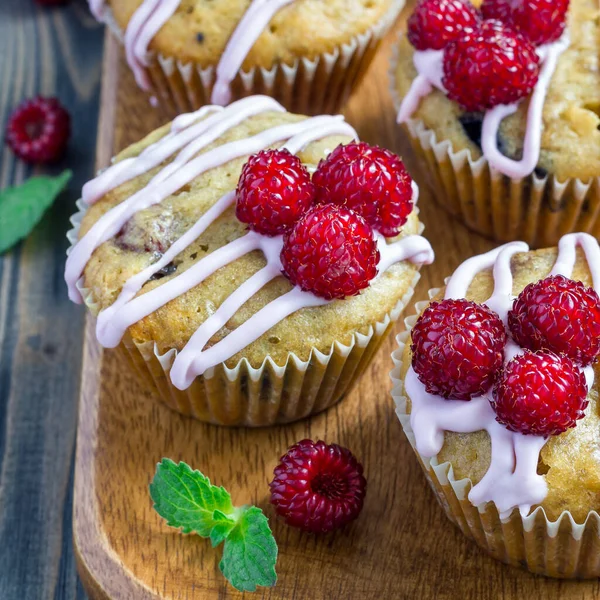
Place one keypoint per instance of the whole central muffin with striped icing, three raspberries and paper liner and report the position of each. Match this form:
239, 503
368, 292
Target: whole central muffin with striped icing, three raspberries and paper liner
181, 259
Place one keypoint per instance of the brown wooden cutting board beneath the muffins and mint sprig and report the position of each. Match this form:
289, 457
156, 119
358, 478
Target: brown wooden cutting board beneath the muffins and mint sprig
402, 546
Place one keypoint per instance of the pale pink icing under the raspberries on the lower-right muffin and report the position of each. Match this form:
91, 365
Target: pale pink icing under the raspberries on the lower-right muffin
511, 480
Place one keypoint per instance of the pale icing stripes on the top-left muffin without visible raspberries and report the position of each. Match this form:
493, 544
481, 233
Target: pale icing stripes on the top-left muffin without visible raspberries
152, 15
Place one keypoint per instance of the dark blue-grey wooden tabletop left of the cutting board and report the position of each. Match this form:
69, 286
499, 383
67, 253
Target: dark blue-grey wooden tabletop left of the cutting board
50, 52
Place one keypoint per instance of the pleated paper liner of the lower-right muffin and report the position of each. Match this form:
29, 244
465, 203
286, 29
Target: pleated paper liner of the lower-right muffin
561, 548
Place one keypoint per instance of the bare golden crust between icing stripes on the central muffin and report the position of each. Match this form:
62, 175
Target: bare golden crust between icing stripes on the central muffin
147, 235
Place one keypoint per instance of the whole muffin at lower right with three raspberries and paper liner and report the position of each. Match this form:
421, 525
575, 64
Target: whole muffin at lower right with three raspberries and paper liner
496, 391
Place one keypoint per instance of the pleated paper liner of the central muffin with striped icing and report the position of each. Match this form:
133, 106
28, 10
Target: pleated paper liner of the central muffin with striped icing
267, 395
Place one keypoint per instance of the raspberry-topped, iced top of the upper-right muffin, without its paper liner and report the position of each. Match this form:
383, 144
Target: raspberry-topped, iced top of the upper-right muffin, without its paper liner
469, 60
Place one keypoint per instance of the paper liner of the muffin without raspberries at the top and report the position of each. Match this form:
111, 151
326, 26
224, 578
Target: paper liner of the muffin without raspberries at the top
318, 86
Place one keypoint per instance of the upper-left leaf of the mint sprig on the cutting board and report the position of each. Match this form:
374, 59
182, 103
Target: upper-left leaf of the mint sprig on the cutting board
187, 500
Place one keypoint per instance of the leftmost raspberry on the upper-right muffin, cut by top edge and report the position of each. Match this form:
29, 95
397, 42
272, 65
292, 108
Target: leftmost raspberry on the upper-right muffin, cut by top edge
434, 23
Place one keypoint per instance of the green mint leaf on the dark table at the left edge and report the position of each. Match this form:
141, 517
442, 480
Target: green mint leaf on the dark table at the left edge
22, 207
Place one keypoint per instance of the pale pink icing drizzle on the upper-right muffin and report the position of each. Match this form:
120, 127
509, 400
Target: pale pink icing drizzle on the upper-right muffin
429, 65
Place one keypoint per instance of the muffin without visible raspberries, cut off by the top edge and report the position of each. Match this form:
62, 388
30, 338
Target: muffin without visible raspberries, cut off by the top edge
308, 54
